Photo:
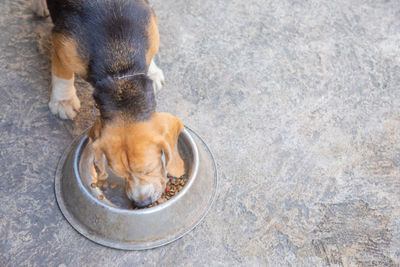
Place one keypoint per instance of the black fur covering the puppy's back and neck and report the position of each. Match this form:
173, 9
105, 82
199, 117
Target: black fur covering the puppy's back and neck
112, 36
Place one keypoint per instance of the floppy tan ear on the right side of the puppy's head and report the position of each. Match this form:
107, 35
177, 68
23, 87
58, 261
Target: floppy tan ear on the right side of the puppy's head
169, 144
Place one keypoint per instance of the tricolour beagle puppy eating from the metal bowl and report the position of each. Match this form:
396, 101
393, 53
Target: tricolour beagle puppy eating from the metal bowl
111, 44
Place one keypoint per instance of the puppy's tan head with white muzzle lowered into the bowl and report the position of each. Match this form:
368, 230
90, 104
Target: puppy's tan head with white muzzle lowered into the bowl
134, 151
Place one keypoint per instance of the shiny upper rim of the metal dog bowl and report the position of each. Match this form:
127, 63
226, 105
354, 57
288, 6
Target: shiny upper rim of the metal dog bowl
161, 206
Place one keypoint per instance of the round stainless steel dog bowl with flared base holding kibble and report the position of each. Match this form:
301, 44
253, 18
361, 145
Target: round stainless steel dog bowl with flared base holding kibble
110, 222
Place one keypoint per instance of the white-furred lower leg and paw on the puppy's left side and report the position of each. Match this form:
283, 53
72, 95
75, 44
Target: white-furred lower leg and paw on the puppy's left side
63, 99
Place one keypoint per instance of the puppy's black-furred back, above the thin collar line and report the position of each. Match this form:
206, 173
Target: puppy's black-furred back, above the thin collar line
111, 35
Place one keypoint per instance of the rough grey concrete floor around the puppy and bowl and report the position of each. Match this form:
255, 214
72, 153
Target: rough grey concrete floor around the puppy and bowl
299, 102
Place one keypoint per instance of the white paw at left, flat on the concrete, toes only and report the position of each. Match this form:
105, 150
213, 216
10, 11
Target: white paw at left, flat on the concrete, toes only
65, 109
